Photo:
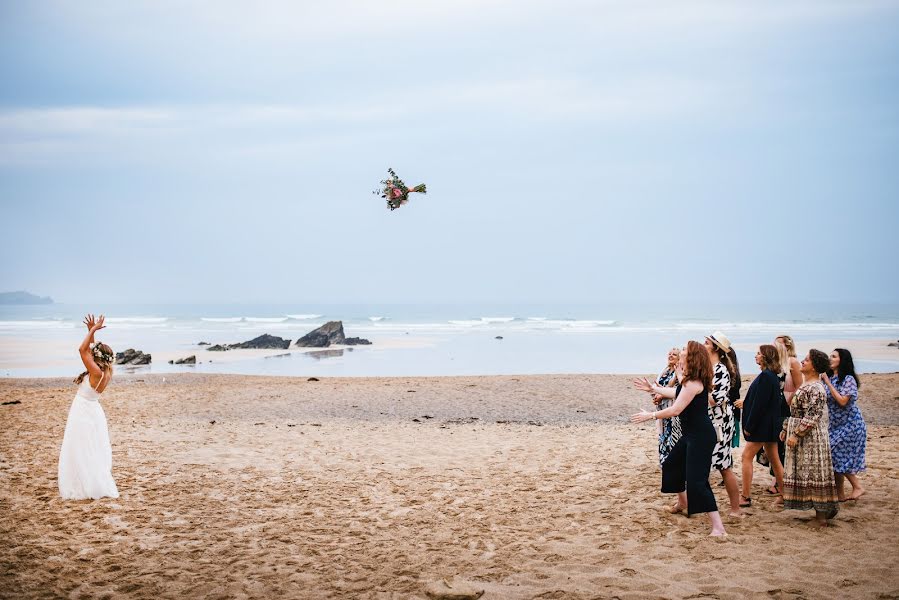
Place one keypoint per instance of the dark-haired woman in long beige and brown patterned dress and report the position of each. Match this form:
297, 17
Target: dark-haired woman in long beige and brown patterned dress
808, 475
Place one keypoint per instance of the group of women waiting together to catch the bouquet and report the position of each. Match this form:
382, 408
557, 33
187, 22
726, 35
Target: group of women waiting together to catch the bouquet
801, 418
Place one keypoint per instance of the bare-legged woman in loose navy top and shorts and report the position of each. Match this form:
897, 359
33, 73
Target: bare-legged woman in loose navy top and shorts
762, 419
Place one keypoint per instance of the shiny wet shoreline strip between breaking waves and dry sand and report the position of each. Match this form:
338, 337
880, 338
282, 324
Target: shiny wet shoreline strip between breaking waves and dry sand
418, 356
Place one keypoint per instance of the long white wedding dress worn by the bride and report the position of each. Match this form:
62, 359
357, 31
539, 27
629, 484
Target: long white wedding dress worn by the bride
85, 461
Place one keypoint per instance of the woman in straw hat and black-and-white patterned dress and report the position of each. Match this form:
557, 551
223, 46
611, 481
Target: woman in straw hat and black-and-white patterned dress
722, 415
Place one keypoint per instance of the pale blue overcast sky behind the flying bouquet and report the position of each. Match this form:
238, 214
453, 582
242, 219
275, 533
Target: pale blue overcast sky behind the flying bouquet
574, 151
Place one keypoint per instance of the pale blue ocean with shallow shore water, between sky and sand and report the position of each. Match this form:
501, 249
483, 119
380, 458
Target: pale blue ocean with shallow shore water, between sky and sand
415, 340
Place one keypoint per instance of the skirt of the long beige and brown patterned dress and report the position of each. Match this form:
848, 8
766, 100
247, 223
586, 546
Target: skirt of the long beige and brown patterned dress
808, 473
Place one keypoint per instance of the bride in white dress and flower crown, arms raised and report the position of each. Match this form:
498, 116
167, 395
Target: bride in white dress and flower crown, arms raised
85, 461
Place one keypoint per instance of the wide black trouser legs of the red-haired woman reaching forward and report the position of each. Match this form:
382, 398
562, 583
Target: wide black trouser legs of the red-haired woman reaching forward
687, 468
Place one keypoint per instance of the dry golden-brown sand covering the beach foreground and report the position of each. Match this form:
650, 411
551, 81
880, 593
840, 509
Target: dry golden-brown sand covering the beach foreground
526, 487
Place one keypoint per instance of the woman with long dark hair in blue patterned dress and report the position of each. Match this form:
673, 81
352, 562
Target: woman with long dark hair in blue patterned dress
848, 433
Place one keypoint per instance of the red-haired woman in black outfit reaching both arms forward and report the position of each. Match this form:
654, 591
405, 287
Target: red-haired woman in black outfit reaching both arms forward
686, 472
